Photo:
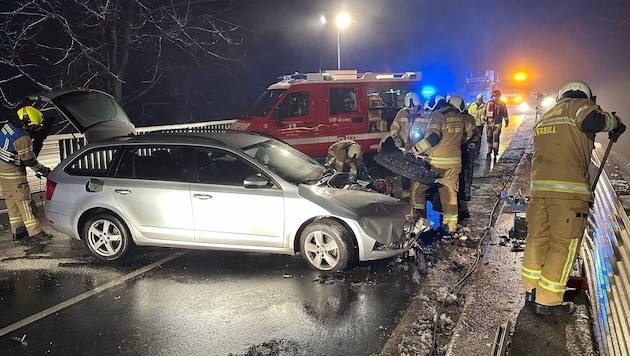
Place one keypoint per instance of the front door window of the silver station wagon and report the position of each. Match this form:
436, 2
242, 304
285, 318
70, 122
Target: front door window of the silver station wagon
216, 166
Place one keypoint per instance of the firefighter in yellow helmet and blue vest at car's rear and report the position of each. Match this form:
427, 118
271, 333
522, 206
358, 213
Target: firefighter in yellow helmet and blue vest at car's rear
15, 154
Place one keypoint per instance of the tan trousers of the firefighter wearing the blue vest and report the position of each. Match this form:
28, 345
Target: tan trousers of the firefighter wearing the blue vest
17, 195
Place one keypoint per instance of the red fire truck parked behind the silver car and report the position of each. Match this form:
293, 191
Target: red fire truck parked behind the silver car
312, 111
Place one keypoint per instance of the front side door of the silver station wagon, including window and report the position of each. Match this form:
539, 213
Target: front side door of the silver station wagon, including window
226, 213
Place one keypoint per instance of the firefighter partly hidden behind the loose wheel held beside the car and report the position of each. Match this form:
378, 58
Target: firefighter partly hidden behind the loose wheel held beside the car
408, 128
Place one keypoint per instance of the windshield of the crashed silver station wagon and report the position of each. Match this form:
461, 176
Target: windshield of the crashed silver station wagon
287, 162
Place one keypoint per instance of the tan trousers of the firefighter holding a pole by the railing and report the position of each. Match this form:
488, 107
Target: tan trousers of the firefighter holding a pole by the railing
555, 229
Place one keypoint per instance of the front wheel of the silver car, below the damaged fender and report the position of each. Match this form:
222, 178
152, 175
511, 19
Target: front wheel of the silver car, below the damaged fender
326, 245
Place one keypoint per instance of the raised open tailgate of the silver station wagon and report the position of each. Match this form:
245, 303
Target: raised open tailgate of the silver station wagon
95, 114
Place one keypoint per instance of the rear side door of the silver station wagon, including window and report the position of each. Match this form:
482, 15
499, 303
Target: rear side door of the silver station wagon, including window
150, 188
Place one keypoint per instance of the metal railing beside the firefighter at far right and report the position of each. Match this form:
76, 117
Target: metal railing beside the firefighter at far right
606, 256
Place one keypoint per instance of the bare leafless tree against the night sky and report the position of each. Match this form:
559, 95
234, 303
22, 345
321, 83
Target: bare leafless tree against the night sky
126, 47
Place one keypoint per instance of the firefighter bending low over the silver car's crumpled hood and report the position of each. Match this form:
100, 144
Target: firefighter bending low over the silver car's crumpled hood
347, 156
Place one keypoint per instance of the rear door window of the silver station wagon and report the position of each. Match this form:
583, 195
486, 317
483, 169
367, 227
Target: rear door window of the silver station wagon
151, 162
